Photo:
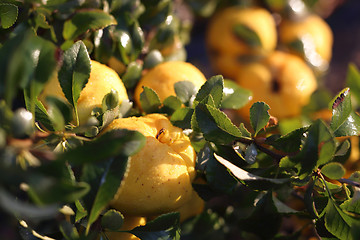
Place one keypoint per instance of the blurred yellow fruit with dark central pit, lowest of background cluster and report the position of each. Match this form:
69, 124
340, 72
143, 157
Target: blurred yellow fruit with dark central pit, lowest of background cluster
283, 81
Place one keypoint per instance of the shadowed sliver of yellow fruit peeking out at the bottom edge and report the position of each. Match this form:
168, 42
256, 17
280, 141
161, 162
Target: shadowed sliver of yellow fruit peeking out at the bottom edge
130, 223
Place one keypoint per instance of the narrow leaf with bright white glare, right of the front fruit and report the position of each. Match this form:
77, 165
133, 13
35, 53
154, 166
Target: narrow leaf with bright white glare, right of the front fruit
246, 176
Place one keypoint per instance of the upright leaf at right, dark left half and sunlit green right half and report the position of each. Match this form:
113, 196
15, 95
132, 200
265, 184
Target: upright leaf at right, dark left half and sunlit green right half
319, 148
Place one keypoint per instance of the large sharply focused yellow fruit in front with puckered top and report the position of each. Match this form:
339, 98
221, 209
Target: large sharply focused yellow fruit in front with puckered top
159, 179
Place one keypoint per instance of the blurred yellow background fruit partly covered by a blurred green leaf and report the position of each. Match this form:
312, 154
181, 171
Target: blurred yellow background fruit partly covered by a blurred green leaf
226, 49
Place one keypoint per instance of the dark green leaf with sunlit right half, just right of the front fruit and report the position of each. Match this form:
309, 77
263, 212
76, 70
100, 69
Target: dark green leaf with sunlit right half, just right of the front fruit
215, 125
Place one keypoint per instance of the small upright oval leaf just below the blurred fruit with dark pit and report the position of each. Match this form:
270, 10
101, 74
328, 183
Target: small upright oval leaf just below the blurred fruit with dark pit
259, 116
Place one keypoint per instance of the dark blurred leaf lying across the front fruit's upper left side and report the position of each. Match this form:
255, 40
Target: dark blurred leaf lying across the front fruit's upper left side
120, 142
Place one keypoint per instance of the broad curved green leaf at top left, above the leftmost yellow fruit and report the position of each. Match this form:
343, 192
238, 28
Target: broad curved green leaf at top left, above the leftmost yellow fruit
86, 20
